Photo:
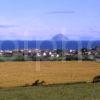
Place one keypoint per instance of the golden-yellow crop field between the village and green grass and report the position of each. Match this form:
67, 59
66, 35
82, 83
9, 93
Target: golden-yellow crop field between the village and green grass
14, 74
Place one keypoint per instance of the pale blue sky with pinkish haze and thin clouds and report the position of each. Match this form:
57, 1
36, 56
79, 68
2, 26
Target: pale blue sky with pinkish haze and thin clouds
43, 19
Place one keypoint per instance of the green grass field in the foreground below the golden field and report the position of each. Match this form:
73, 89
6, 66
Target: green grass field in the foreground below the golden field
60, 92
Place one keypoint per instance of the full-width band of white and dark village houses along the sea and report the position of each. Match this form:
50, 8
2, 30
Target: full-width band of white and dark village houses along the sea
49, 53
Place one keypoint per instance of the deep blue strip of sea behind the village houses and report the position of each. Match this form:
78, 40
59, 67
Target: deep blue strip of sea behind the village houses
46, 44
